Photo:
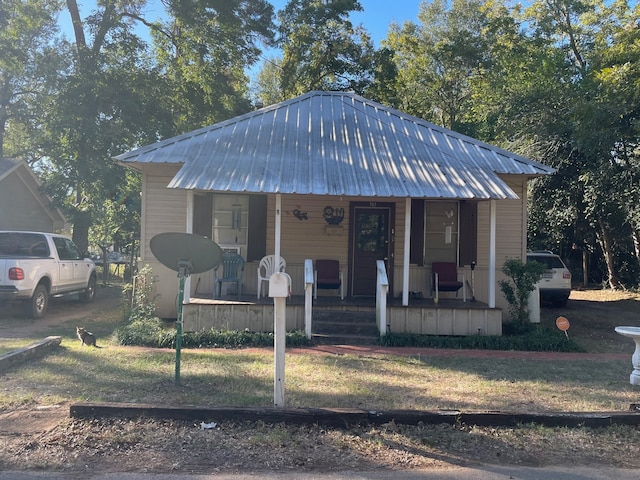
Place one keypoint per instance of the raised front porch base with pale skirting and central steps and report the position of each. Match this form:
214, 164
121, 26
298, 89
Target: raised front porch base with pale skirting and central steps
345, 318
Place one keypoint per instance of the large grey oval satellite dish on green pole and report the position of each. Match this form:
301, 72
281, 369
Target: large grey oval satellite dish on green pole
172, 249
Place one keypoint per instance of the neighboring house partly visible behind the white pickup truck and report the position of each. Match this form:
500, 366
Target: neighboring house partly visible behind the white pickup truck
22, 205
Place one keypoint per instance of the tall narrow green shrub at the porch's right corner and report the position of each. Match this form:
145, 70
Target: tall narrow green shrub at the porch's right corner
522, 281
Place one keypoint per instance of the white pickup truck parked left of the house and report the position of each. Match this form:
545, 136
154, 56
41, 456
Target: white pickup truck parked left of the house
35, 266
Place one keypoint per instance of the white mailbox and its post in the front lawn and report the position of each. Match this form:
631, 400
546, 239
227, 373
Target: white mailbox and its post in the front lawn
279, 289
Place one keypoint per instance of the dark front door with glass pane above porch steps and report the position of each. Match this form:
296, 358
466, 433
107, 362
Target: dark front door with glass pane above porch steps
371, 240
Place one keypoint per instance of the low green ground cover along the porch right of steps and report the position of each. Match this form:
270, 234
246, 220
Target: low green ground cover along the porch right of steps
538, 339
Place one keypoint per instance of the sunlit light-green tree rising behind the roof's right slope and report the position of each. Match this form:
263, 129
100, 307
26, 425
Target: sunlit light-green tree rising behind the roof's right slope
438, 59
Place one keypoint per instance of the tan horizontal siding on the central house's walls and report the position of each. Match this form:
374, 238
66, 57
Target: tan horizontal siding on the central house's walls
308, 236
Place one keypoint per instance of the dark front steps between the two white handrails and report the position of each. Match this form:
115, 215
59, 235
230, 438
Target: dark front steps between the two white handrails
338, 327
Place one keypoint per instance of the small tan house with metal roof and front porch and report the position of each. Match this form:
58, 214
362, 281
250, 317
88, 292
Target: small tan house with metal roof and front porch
332, 175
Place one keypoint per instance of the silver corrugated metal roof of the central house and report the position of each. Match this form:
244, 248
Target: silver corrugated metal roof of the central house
336, 143
